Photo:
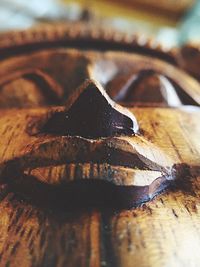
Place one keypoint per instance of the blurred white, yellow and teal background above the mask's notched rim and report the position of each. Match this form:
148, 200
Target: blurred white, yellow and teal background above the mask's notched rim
170, 22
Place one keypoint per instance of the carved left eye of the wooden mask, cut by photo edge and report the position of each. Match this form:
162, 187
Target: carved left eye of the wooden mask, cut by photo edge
29, 88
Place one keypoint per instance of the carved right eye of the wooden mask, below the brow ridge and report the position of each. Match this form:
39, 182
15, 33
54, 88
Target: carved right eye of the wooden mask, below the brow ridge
148, 88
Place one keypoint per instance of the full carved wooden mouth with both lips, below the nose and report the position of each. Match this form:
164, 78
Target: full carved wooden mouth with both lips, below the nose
121, 171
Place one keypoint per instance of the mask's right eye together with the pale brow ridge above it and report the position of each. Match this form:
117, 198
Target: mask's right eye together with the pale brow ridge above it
137, 80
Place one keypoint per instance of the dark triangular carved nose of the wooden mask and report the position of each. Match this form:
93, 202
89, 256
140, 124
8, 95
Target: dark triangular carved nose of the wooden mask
91, 113
